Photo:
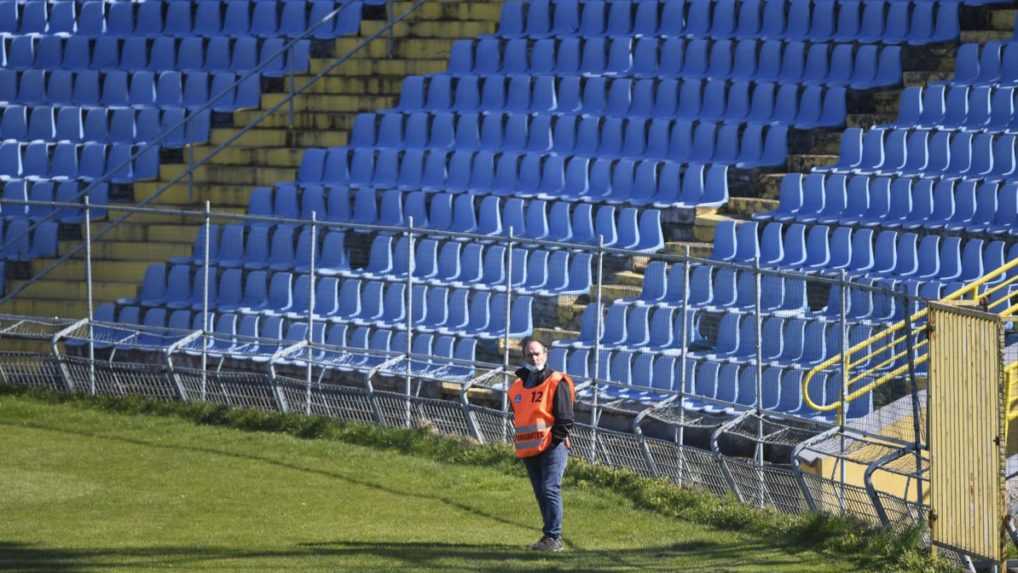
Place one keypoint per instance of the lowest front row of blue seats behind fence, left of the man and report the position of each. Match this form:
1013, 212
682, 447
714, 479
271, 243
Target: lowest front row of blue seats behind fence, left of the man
254, 337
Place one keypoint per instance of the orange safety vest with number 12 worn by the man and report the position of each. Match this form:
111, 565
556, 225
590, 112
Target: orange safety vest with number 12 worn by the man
533, 414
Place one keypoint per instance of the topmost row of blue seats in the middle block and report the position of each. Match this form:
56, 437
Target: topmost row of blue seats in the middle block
850, 21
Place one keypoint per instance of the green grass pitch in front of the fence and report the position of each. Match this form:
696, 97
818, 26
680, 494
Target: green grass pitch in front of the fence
84, 490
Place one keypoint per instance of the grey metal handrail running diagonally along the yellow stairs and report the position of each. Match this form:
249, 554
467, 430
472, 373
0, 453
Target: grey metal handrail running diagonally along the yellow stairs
193, 166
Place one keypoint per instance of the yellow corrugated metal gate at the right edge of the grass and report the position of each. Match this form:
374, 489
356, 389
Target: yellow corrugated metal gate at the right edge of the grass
967, 430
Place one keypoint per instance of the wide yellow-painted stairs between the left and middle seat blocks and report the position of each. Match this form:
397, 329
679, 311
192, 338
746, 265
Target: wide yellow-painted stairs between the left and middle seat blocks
323, 117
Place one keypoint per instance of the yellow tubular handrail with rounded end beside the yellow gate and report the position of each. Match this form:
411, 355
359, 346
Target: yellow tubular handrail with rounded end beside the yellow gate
846, 359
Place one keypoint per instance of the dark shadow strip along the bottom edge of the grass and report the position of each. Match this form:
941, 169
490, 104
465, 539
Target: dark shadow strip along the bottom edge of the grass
356, 556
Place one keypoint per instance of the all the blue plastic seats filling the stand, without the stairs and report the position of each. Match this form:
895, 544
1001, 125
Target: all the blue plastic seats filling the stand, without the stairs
576, 122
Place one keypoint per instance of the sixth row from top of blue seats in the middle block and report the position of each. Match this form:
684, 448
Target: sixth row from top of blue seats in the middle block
532, 219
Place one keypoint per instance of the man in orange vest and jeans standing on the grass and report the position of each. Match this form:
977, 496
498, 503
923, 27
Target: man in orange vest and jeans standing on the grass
542, 402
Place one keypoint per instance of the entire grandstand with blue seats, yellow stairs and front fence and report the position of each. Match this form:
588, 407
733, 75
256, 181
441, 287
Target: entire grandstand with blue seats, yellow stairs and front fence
702, 205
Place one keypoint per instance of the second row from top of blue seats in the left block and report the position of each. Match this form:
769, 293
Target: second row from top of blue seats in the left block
160, 54
